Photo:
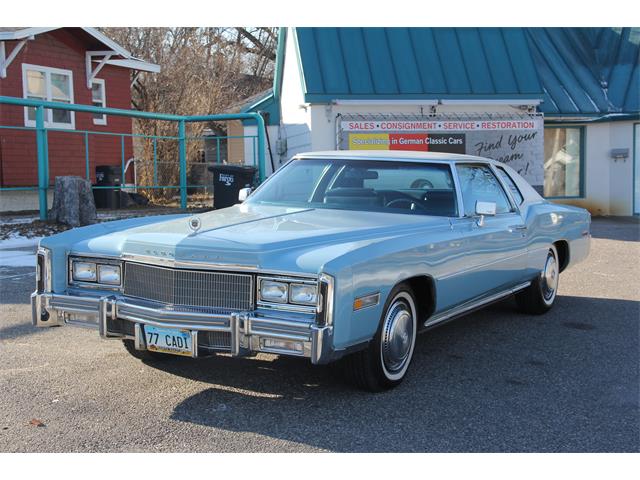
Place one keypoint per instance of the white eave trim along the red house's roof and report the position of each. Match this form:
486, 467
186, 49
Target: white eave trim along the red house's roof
126, 60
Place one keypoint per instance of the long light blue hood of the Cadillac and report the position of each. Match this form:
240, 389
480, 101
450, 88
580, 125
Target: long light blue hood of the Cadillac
265, 237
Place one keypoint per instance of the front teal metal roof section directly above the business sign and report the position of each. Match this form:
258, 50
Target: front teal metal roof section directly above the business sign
416, 63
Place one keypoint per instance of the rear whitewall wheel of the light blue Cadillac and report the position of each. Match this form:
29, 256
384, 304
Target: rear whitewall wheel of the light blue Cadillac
538, 297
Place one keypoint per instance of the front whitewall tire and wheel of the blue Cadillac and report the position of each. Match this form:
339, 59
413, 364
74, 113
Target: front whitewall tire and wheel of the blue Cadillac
384, 363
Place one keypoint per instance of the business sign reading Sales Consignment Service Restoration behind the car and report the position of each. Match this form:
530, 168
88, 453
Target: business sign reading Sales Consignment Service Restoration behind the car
518, 142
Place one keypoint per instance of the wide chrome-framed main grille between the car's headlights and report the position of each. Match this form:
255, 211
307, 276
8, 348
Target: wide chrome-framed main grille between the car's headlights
189, 288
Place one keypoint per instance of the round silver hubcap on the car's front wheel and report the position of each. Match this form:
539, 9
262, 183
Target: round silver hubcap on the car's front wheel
397, 337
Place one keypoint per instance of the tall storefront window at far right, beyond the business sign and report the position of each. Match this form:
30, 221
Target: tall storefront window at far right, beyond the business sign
562, 162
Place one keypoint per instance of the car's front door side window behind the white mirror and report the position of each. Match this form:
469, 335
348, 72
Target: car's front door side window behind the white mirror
479, 184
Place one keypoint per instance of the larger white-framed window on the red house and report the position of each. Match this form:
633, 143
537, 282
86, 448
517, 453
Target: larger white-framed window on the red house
49, 84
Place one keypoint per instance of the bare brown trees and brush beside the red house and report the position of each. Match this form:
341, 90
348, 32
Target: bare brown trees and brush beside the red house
204, 71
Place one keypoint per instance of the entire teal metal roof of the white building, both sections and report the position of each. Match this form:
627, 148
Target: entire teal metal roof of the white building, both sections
574, 72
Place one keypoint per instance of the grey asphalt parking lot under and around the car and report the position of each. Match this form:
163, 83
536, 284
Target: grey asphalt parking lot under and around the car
496, 380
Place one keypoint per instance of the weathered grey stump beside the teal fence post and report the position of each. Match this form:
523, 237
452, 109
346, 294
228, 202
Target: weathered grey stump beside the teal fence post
73, 202
